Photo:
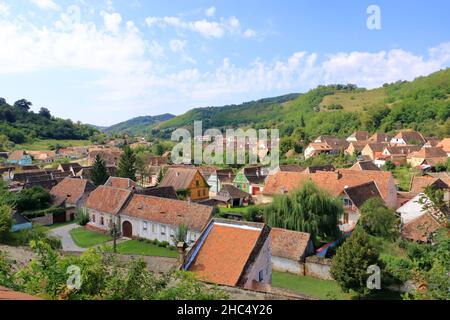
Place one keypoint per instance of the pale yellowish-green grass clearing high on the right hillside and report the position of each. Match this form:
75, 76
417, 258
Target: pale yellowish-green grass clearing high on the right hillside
355, 101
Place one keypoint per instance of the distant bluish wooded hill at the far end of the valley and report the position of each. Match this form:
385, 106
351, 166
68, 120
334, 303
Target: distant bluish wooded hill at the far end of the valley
138, 125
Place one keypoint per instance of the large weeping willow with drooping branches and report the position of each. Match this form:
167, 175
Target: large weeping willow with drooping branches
308, 209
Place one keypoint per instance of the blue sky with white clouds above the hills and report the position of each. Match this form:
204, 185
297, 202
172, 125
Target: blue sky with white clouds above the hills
106, 61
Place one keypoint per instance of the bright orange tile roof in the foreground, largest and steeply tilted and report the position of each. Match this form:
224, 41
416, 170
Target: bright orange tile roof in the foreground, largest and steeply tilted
225, 253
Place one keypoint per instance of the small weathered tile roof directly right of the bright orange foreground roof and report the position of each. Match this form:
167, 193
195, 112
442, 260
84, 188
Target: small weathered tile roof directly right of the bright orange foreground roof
289, 244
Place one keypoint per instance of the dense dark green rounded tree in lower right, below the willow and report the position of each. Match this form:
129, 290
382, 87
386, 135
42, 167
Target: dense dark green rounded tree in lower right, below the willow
353, 257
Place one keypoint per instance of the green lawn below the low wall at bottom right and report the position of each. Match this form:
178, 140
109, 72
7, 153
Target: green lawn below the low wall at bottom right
316, 288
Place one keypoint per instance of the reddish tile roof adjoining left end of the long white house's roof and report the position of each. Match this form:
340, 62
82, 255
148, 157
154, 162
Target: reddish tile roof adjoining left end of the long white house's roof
107, 199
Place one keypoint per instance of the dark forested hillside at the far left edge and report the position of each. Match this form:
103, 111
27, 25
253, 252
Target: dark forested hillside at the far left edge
19, 125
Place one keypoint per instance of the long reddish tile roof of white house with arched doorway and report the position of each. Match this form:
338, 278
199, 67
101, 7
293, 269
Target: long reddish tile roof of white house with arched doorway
168, 211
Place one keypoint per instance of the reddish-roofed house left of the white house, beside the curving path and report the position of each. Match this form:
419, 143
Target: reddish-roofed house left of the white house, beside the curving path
72, 194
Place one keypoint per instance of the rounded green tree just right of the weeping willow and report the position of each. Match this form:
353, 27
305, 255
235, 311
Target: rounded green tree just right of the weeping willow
378, 220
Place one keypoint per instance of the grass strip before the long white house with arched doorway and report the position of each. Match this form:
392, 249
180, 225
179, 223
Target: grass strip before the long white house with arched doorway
143, 248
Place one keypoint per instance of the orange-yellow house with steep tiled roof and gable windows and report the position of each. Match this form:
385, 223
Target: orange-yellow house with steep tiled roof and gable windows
187, 182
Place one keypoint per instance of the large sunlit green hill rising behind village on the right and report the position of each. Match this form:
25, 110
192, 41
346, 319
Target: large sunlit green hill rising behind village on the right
422, 104
